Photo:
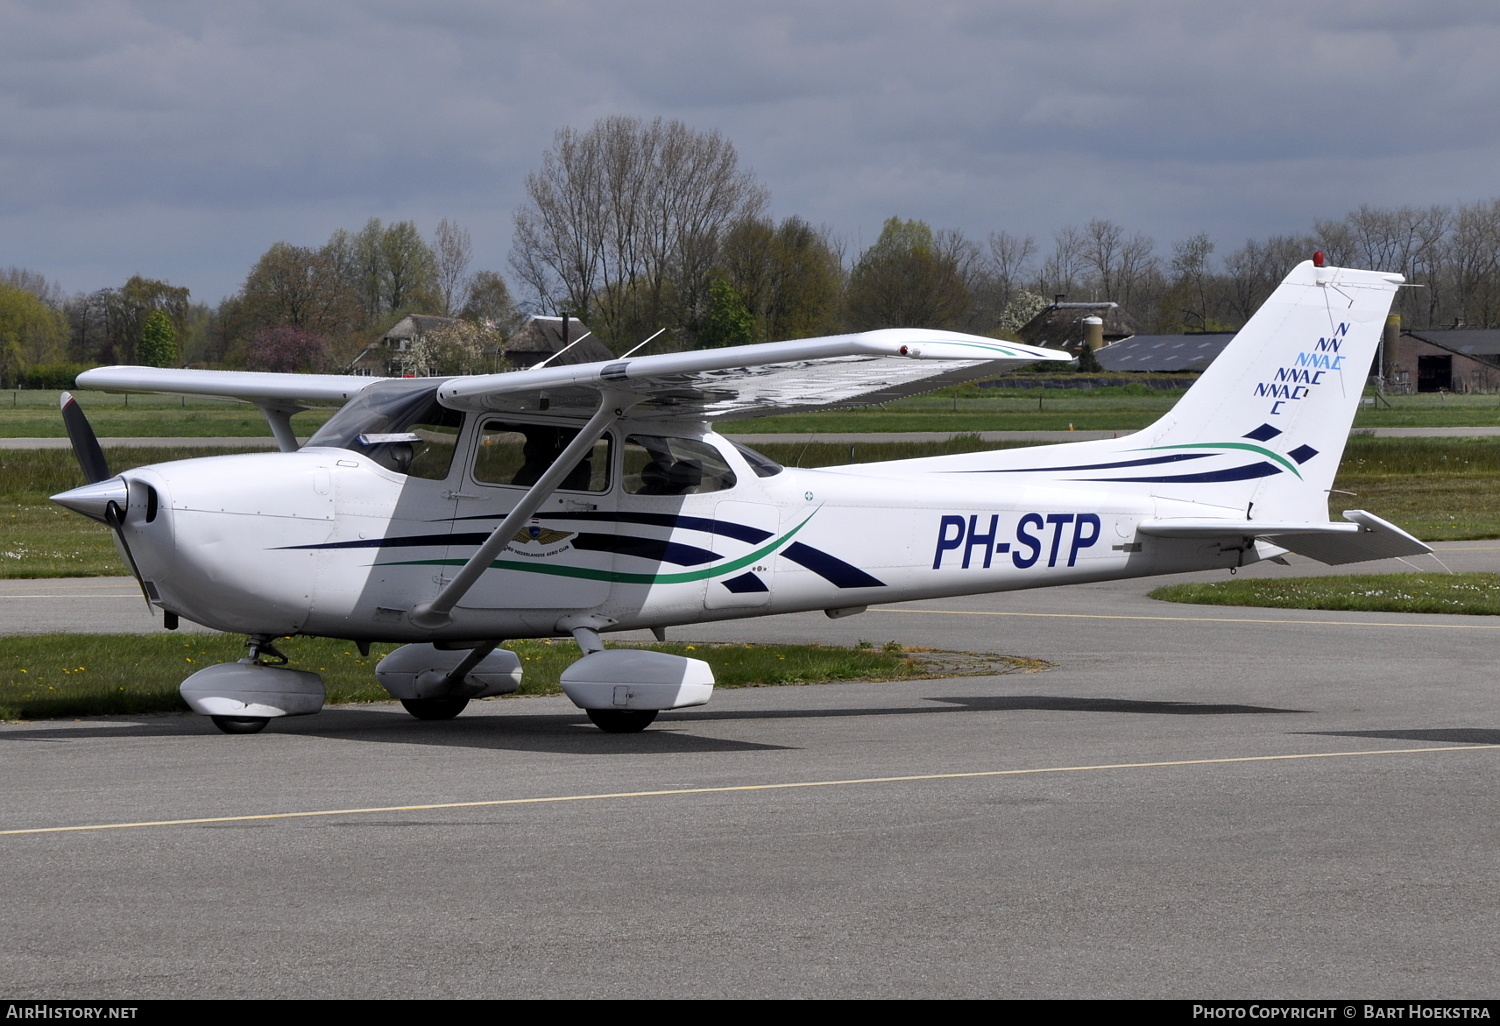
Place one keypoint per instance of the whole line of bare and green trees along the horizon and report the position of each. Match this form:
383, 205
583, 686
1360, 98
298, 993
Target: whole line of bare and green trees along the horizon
638, 226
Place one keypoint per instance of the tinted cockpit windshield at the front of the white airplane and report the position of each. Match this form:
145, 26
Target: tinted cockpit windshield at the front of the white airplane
400, 425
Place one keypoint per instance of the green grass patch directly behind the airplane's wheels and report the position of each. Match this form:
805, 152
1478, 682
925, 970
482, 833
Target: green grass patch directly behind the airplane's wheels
59, 676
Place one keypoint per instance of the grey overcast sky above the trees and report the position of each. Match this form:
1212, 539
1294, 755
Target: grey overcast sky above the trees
181, 140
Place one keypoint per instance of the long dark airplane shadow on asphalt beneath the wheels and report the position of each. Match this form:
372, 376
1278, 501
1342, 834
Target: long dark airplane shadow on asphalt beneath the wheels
569, 733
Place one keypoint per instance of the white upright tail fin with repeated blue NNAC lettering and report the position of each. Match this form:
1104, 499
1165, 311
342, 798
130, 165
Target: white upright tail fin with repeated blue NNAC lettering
1265, 427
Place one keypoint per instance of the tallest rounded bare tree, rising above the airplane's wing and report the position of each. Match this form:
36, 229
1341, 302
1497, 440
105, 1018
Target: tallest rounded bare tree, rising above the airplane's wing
623, 223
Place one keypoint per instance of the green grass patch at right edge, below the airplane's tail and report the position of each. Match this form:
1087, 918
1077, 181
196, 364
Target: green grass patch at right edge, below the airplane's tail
1427, 593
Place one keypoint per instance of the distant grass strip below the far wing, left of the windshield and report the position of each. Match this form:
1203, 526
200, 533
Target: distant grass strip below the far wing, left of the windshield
35, 415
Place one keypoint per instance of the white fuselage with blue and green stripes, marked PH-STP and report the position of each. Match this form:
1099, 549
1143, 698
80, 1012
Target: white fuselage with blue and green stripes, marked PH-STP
328, 542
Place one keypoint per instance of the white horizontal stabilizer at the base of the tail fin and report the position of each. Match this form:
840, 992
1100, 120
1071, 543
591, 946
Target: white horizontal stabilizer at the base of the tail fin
1364, 538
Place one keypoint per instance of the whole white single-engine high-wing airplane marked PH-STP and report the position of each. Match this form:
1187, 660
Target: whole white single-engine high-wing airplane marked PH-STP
454, 514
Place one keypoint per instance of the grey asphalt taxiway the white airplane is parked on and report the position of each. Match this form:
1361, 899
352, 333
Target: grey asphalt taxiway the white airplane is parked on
1190, 803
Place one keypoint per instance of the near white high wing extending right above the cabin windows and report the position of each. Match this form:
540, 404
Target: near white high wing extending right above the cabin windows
755, 380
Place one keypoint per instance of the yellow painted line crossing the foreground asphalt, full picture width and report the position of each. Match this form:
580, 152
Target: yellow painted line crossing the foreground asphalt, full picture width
620, 796
